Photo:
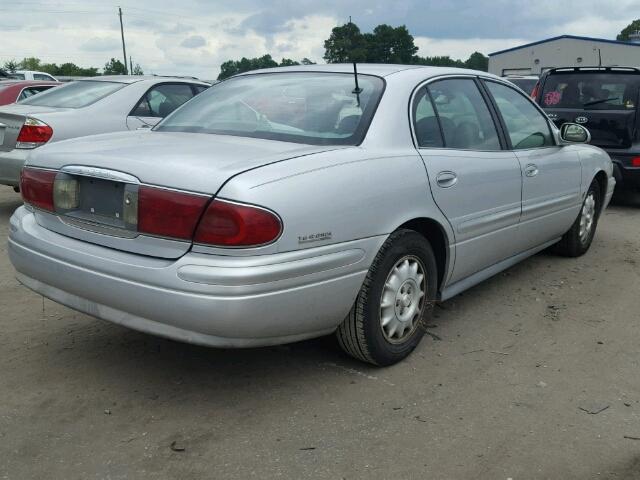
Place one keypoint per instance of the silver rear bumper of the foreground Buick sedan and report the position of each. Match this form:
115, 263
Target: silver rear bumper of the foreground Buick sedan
204, 299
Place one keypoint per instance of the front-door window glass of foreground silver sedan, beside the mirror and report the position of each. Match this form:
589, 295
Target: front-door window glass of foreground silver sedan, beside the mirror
526, 125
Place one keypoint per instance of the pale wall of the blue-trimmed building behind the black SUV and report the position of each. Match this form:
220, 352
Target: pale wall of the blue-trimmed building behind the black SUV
563, 52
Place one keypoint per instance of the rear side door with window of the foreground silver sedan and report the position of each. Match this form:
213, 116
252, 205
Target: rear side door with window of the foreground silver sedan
474, 180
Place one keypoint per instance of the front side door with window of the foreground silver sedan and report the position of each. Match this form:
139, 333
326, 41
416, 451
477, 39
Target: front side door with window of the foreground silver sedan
551, 174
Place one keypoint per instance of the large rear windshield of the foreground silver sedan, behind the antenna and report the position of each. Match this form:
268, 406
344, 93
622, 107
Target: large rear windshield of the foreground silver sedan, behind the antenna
314, 108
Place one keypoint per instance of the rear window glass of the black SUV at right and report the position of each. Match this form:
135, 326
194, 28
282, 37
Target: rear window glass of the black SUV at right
591, 91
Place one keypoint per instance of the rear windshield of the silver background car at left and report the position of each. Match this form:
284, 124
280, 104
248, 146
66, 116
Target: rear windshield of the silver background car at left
74, 95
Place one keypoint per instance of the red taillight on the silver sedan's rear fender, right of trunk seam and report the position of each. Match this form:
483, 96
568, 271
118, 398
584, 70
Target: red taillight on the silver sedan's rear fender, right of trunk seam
229, 224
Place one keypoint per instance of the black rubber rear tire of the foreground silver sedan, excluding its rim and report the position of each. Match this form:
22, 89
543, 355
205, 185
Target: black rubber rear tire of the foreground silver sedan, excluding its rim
360, 334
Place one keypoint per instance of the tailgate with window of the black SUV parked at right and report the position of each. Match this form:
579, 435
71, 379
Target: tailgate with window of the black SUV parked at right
604, 101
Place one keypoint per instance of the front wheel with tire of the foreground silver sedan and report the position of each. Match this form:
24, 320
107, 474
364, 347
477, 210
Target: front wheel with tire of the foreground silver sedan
578, 239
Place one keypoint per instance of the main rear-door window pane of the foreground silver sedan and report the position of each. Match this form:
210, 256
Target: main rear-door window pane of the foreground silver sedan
464, 116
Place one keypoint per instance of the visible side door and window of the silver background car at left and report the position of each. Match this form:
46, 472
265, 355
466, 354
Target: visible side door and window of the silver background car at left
158, 102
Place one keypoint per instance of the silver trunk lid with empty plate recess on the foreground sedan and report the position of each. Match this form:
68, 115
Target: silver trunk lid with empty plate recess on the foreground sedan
108, 172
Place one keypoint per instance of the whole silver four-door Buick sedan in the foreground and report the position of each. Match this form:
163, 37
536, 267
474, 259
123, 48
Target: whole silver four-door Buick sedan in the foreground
292, 203
